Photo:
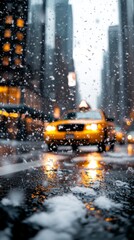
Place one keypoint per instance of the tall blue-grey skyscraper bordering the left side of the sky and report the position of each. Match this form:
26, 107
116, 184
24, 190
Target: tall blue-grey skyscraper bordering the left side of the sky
59, 55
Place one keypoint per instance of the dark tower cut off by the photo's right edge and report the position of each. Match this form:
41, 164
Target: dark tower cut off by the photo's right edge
126, 18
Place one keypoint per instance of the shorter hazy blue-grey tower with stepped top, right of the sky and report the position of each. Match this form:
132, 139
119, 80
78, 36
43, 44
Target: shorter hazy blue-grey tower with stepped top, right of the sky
110, 75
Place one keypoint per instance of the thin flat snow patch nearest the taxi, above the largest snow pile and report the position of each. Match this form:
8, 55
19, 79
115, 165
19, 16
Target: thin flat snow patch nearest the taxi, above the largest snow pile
83, 190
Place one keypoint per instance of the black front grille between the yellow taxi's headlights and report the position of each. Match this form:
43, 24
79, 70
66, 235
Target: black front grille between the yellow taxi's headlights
70, 127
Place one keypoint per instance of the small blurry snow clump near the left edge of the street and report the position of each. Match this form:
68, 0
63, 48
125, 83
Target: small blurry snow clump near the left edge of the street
15, 198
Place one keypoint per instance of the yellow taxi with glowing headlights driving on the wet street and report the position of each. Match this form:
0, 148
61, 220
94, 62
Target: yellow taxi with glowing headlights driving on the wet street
78, 128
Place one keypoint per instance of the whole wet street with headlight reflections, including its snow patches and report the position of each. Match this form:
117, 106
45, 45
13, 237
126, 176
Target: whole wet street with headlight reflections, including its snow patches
66, 195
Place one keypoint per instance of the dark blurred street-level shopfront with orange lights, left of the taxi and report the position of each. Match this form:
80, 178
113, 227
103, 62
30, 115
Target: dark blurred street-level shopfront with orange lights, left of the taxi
19, 122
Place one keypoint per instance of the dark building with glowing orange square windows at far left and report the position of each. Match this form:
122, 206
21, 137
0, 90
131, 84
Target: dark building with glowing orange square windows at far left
21, 57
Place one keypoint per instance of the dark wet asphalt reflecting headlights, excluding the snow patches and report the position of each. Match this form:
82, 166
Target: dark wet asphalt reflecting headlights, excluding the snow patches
108, 174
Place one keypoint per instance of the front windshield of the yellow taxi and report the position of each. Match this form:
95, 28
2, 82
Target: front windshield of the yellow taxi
92, 115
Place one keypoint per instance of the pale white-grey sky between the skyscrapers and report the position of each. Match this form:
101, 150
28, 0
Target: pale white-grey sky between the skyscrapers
91, 21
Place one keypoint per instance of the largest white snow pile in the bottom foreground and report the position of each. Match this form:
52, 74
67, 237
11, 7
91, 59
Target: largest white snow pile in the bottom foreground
63, 216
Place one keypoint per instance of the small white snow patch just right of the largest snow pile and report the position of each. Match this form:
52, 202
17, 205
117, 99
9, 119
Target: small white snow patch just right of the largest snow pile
105, 203
